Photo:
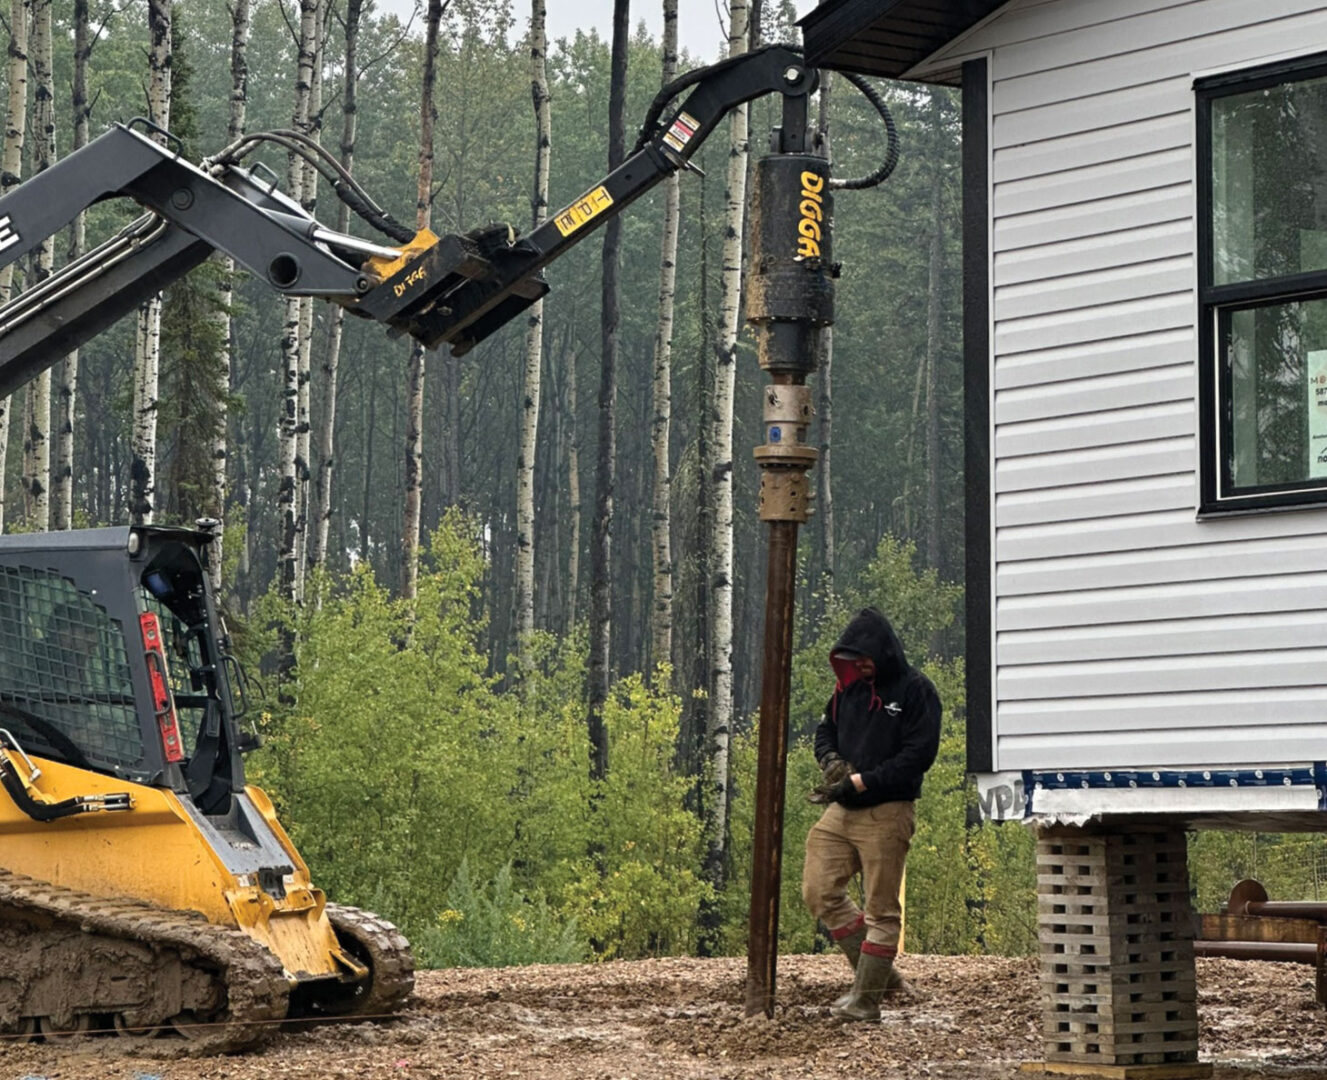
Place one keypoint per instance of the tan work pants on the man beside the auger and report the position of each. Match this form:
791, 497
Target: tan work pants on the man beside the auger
874, 841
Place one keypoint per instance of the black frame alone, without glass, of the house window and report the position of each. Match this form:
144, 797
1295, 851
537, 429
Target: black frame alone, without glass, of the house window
1218, 302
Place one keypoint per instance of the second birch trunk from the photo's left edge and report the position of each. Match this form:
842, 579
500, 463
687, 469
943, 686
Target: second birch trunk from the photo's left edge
36, 440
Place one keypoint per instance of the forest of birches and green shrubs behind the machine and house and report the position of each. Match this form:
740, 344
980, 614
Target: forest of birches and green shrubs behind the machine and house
432, 733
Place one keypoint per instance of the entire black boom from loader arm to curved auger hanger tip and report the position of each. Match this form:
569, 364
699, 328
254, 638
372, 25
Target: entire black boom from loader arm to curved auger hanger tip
454, 290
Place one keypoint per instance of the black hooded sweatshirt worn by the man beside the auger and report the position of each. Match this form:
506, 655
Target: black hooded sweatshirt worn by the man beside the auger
888, 728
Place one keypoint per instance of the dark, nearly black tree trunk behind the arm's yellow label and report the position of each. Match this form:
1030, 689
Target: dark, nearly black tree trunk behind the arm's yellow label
606, 473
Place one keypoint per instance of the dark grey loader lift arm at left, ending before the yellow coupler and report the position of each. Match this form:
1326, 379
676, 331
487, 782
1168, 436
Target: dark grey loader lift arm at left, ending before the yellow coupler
192, 213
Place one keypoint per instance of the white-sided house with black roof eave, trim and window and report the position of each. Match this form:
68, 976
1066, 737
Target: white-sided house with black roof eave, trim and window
1146, 267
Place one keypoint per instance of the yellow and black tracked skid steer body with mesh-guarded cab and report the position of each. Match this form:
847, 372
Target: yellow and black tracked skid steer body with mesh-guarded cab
125, 810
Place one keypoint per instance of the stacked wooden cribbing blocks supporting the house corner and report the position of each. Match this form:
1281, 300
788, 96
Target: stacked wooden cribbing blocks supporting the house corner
1117, 943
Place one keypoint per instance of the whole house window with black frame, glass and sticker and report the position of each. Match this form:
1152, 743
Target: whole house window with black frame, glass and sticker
1263, 287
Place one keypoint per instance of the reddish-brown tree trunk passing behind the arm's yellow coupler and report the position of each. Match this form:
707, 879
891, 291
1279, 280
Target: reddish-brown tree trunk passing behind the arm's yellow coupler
415, 404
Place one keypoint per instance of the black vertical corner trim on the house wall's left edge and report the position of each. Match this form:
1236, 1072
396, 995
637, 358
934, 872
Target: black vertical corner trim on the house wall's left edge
977, 452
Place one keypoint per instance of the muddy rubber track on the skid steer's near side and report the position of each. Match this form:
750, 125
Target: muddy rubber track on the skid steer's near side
257, 989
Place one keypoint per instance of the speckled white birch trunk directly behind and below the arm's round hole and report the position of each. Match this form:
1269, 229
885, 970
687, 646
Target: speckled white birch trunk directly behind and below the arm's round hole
289, 494
